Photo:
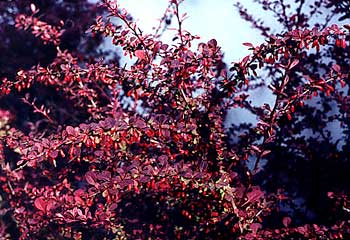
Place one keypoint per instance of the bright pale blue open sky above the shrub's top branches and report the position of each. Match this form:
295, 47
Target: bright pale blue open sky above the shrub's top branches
209, 19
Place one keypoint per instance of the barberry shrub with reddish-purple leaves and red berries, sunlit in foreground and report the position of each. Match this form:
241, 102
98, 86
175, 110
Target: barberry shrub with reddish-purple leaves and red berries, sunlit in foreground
142, 152
